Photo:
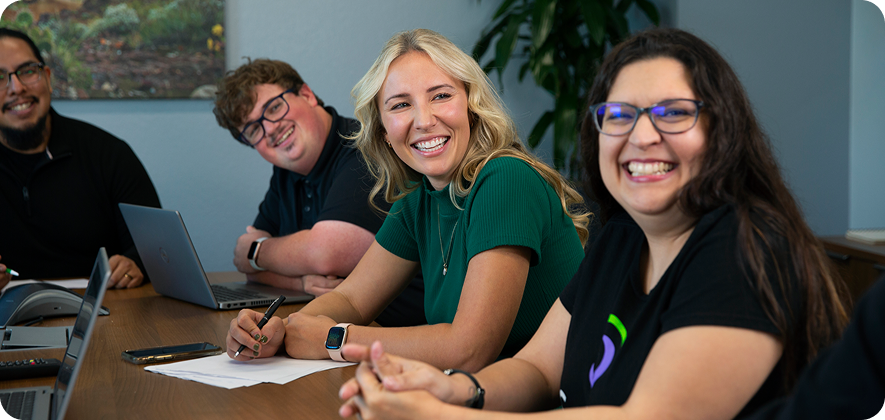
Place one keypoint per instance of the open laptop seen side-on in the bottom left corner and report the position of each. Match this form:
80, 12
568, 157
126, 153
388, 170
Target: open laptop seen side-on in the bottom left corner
51, 402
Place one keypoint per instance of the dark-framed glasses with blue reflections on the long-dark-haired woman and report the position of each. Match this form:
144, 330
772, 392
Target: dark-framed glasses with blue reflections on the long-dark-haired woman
672, 116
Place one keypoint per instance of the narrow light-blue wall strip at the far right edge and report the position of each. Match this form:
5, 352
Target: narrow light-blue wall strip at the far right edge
867, 124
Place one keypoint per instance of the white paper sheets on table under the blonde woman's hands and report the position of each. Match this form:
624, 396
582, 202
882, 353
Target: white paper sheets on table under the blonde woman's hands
222, 371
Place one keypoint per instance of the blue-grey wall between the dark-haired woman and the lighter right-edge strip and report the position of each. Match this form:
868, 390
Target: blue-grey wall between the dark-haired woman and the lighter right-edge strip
793, 57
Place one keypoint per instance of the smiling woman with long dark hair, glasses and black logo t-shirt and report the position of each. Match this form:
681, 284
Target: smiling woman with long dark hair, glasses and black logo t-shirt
704, 294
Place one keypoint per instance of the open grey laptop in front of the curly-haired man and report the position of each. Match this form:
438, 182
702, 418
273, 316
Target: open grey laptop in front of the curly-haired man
174, 268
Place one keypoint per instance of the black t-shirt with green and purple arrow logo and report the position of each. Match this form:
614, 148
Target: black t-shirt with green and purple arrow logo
614, 323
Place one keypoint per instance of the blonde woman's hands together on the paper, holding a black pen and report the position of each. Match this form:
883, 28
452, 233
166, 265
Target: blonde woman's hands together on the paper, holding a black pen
299, 334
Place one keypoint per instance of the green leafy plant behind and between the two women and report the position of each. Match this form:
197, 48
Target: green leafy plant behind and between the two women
564, 42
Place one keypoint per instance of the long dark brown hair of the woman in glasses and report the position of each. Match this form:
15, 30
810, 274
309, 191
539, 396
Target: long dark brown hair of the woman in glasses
738, 168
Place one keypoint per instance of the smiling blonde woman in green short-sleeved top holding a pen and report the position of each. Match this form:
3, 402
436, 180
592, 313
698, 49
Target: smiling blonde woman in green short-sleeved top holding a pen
492, 228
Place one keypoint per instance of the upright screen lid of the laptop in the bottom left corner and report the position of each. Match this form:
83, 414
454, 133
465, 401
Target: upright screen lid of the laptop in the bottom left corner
80, 334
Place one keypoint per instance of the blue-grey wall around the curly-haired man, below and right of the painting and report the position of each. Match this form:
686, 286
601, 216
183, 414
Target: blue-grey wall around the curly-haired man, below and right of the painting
216, 183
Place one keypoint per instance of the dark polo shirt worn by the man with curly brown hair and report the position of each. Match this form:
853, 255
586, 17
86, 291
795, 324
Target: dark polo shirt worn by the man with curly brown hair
337, 188
